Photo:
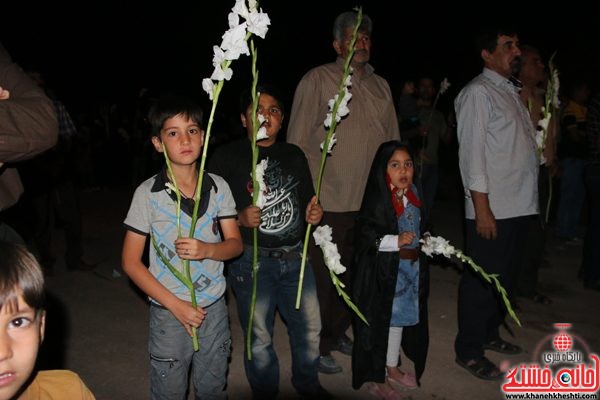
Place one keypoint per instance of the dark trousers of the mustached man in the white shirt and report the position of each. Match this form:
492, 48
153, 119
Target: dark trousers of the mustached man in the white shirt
480, 308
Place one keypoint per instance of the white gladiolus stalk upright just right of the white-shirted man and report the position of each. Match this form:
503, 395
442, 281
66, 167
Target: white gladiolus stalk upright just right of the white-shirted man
551, 103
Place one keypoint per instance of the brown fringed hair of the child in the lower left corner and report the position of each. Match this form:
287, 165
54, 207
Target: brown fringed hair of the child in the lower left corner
20, 273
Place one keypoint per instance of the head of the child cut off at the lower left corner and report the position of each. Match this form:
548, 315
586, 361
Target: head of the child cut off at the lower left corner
22, 317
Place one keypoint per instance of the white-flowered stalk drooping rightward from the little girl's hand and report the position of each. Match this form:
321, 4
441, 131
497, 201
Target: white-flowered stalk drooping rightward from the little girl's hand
433, 245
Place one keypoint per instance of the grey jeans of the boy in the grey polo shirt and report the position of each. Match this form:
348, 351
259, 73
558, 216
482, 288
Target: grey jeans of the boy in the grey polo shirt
172, 353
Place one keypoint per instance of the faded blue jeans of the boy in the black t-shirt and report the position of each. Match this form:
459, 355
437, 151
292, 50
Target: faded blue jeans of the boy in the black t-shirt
277, 287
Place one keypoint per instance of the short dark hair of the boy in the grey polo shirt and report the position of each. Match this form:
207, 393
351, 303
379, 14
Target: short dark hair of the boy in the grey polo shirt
169, 106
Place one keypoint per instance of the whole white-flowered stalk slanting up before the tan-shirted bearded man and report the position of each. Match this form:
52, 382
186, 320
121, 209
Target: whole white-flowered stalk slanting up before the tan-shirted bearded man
338, 108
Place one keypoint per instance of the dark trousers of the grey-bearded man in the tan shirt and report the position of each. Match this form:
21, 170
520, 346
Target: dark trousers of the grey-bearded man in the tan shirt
335, 314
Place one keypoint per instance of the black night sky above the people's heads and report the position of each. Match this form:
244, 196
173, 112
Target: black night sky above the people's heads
93, 52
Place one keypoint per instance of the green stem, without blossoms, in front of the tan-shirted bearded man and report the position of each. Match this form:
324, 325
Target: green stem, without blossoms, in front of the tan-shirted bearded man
328, 137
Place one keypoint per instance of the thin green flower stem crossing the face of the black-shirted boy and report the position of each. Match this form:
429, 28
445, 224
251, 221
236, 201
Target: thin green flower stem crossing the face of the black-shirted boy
255, 193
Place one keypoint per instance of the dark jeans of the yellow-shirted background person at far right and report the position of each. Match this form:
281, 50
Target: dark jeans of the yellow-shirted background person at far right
572, 193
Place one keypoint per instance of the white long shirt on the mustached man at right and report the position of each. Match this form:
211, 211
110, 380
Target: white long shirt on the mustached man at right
497, 151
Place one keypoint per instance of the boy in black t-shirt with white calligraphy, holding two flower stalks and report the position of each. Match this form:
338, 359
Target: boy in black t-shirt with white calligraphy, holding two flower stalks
281, 223
